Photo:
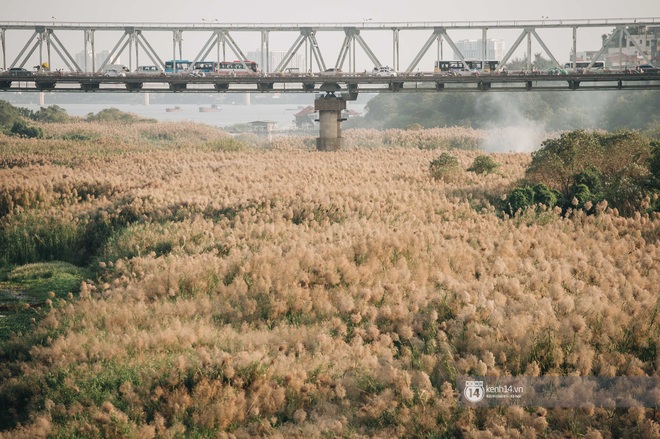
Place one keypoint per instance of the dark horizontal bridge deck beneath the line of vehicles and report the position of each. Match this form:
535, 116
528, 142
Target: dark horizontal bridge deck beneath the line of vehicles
343, 83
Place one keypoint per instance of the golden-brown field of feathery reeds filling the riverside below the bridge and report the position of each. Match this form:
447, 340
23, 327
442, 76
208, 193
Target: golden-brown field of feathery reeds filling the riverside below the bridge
228, 288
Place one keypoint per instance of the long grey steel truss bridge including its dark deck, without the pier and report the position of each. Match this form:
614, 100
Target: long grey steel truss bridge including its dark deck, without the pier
137, 40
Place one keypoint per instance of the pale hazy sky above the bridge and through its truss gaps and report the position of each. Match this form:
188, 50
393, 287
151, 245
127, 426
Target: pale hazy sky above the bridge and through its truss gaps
310, 11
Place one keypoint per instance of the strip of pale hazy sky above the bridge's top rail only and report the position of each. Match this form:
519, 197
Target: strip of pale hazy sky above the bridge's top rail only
313, 11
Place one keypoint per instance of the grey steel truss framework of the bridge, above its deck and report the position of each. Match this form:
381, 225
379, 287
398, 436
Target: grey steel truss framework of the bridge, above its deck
44, 41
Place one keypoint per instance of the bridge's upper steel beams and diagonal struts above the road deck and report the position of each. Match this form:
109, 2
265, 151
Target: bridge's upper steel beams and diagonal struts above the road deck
133, 39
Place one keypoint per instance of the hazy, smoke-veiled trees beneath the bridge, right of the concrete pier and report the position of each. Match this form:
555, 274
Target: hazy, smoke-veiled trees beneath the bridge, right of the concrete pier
538, 110
